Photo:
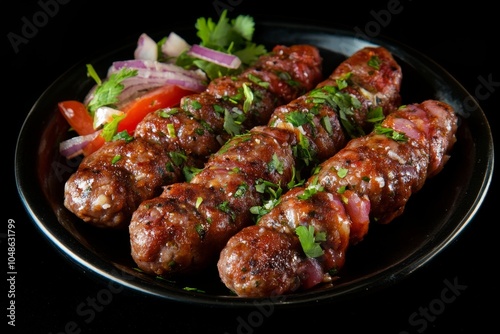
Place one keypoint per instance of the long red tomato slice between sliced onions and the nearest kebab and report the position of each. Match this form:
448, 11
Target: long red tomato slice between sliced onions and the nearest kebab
162, 97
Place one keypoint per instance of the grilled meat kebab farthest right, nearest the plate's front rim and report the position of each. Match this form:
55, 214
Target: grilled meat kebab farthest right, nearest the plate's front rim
371, 179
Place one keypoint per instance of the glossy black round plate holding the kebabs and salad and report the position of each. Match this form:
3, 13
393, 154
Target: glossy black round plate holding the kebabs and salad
433, 217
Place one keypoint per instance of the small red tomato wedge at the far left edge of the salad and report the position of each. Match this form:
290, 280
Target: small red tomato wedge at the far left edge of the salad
77, 115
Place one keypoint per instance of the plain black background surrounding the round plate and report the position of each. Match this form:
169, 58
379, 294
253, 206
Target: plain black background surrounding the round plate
463, 39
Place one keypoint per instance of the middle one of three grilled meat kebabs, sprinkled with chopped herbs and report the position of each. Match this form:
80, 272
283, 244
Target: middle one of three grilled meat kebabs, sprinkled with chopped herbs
184, 229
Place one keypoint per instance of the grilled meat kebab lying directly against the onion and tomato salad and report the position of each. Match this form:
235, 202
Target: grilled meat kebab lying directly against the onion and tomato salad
110, 184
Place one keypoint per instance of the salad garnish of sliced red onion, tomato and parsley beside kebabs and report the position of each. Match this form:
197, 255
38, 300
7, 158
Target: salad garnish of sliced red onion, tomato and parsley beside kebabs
157, 77
